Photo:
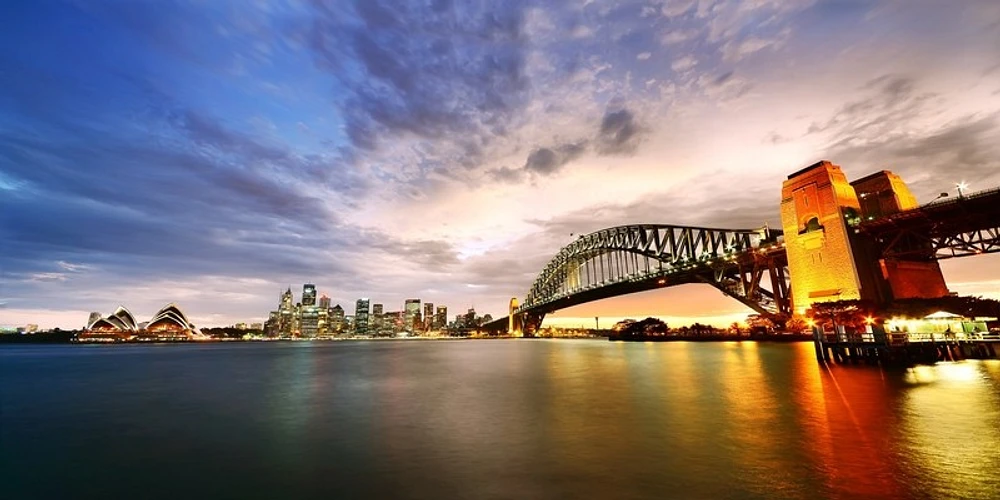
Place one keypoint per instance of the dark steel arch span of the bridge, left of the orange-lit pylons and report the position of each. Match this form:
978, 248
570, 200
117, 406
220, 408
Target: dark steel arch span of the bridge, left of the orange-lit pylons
628, 259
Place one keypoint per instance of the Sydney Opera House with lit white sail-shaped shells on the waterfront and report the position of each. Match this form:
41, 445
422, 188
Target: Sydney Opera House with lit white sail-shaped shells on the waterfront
168, 324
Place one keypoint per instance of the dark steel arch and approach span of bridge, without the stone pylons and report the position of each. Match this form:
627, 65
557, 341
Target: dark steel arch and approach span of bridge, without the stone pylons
747, 265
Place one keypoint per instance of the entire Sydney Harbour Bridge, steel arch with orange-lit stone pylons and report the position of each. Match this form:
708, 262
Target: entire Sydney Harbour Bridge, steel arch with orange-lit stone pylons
864, 240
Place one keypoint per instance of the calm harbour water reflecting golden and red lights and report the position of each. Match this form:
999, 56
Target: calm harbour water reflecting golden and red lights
489, 419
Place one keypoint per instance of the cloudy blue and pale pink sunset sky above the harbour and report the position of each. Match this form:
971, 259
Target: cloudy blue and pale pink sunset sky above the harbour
213, 153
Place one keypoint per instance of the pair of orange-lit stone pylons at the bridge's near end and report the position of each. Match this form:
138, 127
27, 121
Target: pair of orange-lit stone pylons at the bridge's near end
829, 259
